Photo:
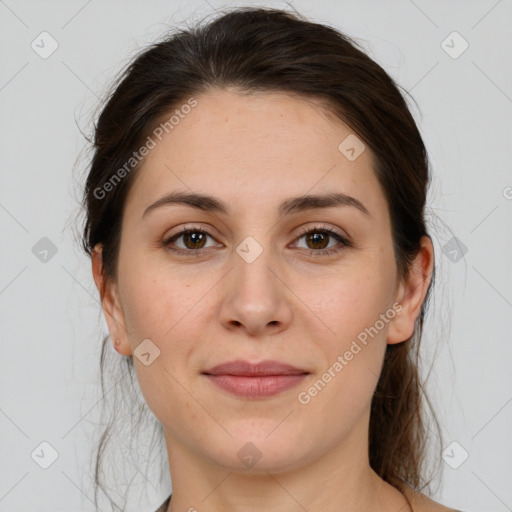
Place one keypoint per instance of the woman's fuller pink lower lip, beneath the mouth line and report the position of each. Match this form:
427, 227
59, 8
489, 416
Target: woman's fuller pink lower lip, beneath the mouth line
256, 387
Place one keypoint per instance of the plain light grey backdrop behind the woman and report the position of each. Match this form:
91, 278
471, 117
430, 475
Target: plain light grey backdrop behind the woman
453, 57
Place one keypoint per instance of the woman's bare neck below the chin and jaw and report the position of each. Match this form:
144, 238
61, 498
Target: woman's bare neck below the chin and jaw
339, 480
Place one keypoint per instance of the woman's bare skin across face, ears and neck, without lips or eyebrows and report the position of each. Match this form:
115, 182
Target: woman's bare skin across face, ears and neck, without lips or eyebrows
253, 152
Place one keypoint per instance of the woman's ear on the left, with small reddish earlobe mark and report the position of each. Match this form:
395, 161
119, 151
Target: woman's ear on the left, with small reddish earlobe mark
110, 303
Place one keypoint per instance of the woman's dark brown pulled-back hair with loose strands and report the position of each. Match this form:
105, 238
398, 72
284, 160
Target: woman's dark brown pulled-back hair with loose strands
269, 50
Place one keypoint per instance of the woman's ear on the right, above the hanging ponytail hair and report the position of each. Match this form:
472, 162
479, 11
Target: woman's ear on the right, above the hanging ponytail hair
411, 293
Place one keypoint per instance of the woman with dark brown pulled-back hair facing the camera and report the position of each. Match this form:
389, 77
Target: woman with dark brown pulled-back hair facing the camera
255, 220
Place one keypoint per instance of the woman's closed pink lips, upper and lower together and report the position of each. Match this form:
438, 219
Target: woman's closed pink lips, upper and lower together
261, 380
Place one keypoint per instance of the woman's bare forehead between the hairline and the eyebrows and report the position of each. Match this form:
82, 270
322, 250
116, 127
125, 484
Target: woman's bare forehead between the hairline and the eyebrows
255, 149
